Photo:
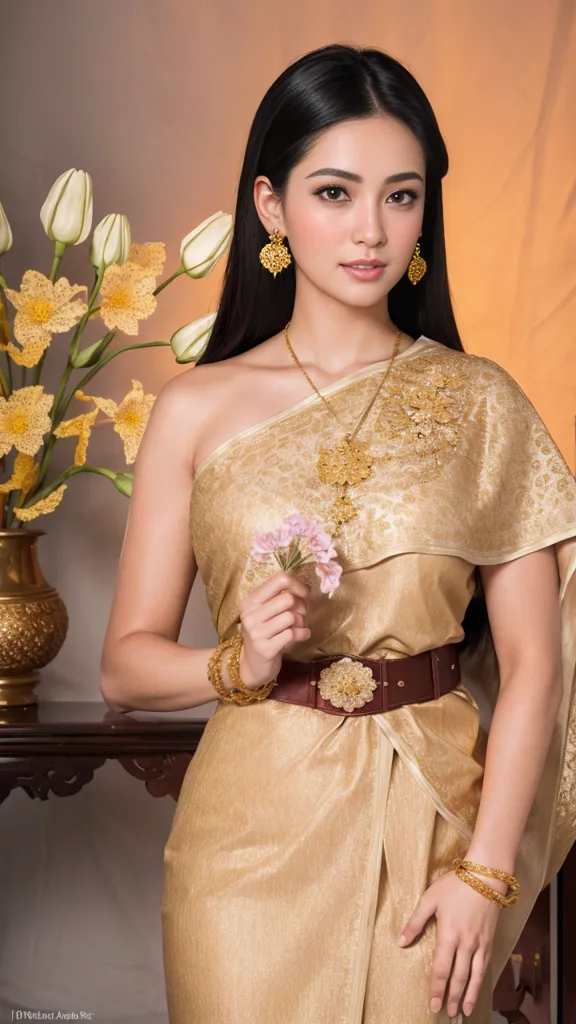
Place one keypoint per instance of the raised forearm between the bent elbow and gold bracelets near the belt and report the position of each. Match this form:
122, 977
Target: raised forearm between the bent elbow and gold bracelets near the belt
147, 672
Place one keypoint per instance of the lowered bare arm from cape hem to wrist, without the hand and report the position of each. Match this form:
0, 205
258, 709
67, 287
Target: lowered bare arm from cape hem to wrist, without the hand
522, 599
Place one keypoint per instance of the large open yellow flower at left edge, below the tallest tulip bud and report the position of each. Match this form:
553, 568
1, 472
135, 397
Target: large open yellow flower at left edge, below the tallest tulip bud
45, 308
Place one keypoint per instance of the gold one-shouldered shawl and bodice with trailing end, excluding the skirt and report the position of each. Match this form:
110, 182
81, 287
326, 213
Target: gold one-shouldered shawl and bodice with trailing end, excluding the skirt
466, 474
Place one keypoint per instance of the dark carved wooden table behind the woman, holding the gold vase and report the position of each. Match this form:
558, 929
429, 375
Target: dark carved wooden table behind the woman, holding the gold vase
57, 747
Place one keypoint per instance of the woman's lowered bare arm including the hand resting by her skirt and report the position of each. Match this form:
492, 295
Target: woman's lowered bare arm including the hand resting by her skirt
523, 604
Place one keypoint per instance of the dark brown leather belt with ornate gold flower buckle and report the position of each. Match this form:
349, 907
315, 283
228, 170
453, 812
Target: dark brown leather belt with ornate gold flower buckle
349, 686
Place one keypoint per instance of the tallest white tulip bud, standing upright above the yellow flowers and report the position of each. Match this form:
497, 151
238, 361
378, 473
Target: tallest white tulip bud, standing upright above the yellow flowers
67, 214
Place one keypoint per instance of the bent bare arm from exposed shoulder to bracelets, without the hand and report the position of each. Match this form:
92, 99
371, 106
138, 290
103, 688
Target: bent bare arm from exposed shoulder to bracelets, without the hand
143, 665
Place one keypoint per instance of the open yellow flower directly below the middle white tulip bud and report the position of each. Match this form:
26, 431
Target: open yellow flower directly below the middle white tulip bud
127, 297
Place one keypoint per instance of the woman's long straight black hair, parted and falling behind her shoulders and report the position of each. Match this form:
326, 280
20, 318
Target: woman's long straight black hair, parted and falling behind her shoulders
323, 89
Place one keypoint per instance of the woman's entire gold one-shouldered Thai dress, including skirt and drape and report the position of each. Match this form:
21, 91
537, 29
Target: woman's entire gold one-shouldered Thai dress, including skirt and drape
302, 842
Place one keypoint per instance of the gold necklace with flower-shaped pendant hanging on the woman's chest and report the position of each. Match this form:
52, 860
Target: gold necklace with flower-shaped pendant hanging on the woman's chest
349, 462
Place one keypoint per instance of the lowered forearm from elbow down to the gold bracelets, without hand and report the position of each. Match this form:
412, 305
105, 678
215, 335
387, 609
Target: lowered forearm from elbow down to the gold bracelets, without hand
518, 745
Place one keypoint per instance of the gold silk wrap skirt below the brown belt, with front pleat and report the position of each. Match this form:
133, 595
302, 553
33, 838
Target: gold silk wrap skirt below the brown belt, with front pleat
301, 844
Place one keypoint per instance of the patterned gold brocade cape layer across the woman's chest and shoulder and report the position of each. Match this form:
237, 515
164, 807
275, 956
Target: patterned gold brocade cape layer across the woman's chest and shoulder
463, 465
